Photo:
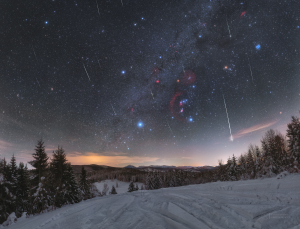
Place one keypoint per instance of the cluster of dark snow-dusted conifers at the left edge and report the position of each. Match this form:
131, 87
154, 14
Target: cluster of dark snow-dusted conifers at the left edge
49, 185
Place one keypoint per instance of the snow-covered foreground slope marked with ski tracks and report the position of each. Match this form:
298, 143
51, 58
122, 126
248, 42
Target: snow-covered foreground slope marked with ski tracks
268, 203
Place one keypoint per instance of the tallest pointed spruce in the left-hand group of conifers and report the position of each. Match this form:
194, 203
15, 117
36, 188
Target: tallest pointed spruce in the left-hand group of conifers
40, 162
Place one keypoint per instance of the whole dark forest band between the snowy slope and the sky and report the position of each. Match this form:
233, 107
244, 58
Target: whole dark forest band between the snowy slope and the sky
52, 183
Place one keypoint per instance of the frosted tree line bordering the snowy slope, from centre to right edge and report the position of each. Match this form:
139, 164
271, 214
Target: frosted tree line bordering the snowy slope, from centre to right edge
276, 155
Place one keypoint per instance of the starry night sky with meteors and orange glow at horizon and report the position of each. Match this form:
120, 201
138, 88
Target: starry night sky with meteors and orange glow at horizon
121, 82
